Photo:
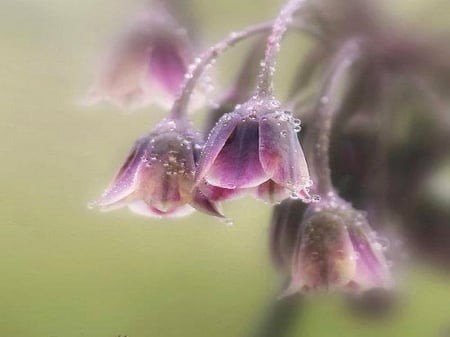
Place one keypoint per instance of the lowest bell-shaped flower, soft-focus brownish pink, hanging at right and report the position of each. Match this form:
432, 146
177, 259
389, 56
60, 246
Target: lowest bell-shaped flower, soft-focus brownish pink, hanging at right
337, 250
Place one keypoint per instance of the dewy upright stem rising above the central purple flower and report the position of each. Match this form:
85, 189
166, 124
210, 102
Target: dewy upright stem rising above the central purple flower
265, 79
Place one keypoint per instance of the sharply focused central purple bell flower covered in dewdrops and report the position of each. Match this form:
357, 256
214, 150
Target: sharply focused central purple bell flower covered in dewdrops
256, 146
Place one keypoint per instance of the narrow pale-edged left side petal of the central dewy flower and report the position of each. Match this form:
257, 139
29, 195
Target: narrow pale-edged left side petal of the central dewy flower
215, 142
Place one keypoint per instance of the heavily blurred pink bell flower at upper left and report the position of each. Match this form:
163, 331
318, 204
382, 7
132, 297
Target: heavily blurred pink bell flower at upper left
146, 65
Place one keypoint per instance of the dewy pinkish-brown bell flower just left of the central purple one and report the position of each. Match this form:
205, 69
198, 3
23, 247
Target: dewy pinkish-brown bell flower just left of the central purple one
157, 178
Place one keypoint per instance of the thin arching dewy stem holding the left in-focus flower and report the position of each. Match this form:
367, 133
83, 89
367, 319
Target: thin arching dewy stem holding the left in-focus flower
196, 69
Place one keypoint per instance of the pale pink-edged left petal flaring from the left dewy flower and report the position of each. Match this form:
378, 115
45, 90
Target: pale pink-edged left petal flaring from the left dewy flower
127, 179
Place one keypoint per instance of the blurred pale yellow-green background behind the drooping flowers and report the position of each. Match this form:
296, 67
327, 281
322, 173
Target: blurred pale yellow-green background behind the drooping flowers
68, 271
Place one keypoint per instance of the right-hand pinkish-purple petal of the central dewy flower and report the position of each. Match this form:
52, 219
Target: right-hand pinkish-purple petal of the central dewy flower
281, 154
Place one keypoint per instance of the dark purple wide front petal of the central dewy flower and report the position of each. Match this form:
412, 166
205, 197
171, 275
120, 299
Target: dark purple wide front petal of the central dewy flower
237, 165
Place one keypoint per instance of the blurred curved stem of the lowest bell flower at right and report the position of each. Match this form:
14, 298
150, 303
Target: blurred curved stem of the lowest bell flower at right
327, 107
